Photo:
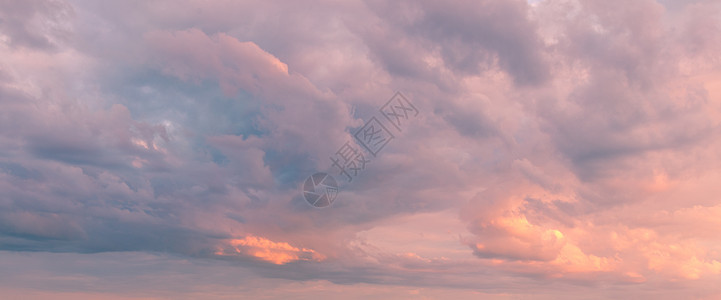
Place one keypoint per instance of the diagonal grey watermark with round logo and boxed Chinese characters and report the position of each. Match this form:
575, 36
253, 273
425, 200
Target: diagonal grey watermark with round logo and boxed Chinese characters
321, 189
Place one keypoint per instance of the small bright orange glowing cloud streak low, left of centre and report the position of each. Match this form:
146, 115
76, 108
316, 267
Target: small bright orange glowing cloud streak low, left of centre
278, 253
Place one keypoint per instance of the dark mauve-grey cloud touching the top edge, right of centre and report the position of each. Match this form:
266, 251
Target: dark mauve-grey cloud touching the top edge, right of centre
471, 36
